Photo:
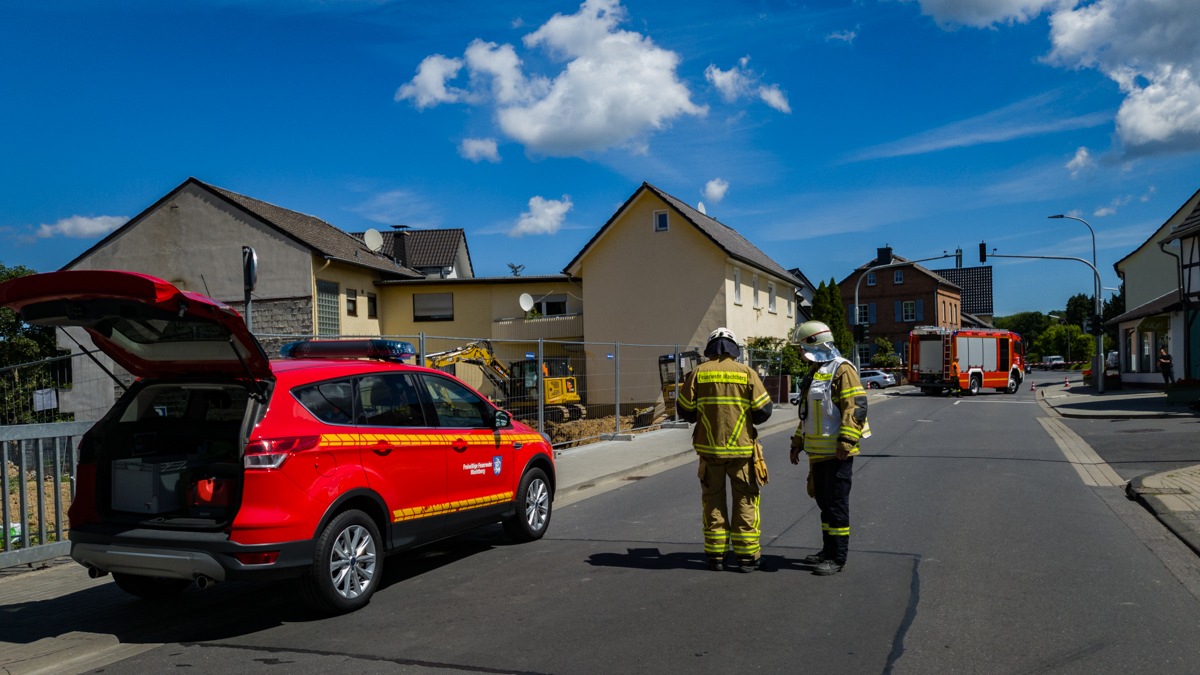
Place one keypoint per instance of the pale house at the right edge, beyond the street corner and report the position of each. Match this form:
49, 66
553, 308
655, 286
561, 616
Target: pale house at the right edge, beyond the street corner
1154, 313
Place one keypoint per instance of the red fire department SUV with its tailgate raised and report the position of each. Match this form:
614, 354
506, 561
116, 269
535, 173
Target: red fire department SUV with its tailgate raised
219, 464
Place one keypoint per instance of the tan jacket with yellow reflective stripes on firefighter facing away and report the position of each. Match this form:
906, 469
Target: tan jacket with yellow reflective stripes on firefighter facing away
722, 393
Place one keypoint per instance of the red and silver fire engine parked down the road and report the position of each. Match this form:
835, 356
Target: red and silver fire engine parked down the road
970, 360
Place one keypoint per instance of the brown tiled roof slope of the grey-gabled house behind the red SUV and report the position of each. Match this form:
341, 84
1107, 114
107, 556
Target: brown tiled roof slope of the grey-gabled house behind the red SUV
315, 234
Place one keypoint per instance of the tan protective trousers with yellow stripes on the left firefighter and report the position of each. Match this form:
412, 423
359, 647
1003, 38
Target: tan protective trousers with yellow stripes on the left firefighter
719, 530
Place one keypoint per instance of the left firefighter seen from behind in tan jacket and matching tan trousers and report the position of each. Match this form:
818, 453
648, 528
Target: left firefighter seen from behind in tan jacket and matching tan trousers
727, 399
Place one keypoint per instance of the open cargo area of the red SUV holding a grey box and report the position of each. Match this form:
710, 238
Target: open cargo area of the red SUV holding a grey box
170, 455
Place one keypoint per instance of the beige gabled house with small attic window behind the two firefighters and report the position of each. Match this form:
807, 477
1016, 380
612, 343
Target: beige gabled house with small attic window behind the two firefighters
663, 273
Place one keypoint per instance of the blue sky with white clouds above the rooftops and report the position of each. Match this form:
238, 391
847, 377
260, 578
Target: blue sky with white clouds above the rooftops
821, 132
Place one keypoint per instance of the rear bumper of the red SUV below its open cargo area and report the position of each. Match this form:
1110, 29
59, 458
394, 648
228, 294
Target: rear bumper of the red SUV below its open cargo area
185, 555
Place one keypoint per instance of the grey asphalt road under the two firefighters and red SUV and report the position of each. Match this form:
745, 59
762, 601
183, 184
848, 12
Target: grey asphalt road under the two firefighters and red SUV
976, 548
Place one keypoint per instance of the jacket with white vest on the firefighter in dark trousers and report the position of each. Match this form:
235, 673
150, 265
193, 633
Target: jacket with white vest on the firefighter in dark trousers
831, 421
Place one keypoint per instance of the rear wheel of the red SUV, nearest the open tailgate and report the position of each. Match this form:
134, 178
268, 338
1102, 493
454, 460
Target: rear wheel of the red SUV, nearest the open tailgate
349, 566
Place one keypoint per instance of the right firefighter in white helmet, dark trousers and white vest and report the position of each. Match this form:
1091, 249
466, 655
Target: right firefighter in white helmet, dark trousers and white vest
833, 421
